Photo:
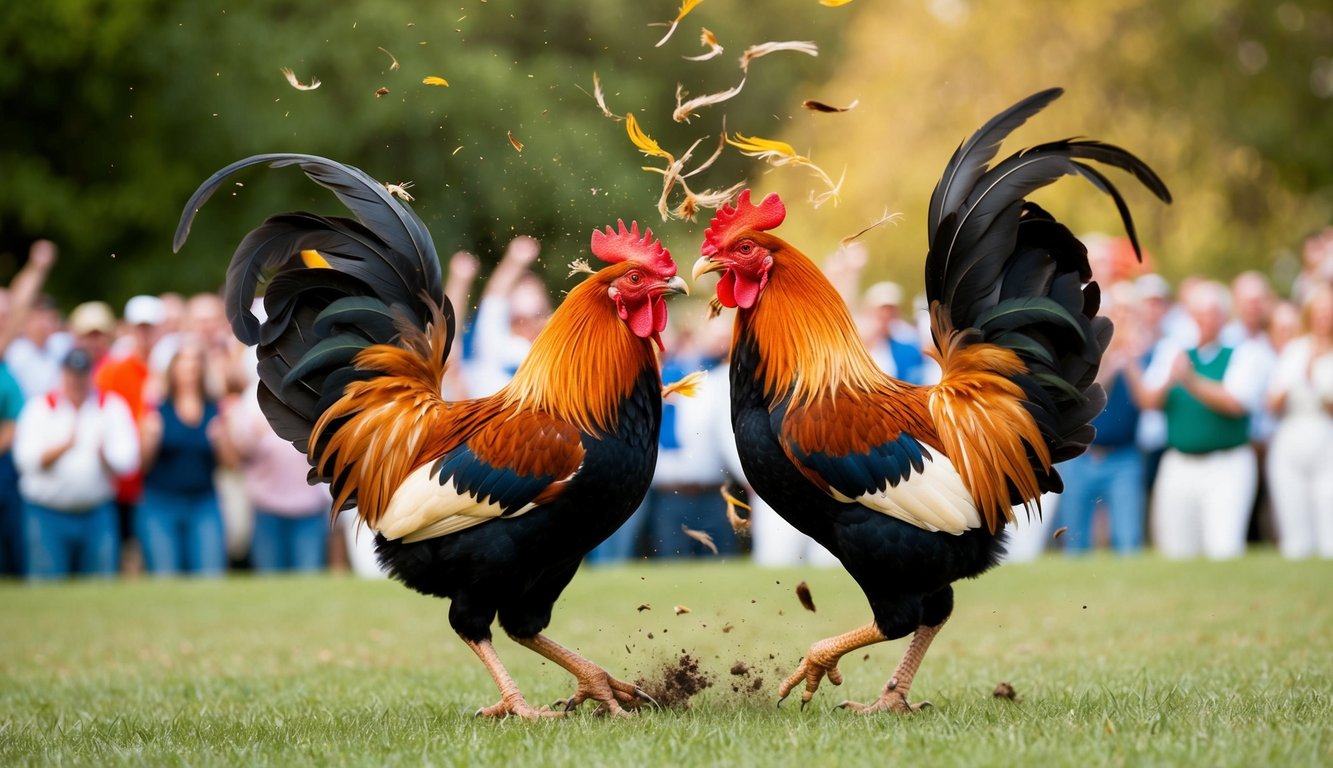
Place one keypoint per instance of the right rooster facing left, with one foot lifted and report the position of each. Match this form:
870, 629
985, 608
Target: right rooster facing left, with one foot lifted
911, 486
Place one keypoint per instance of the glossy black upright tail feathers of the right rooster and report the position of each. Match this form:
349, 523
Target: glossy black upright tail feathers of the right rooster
1007, 269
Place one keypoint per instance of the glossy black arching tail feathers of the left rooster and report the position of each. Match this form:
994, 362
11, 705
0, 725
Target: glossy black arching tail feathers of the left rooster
366, 278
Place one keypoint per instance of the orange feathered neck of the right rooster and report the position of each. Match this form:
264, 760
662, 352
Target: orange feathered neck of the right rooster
806, 337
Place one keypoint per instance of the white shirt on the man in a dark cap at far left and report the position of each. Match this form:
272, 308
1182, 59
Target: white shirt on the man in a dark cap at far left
79, 479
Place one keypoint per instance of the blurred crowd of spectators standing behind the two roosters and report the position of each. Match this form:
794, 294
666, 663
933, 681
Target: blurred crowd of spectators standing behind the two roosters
135, 445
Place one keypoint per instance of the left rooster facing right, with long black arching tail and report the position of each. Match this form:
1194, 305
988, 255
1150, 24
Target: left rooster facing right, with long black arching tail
494, 502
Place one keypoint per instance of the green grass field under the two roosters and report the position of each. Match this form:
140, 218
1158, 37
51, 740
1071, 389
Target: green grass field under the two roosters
1115, 663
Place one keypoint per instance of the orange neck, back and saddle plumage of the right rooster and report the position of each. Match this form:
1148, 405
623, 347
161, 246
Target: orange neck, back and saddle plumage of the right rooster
810, 346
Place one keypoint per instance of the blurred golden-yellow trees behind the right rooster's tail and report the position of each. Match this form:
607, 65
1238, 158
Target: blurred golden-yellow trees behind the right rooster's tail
1231, 102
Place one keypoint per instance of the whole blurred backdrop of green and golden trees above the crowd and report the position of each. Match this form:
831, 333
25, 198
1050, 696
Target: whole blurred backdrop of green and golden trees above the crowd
114, 113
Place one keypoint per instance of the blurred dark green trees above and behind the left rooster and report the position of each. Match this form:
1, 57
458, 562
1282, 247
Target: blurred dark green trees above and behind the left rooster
114, 113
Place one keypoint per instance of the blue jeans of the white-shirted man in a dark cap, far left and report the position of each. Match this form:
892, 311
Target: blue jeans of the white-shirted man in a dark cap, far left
63, 543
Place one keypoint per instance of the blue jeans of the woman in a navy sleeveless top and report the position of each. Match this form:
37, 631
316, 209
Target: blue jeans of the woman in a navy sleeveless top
181, 533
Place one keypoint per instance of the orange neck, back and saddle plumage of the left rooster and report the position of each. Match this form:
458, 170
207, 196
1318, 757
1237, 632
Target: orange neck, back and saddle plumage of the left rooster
581, 367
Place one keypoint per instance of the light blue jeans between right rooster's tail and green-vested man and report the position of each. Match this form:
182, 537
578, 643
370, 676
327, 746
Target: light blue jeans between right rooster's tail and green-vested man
1115, 477
